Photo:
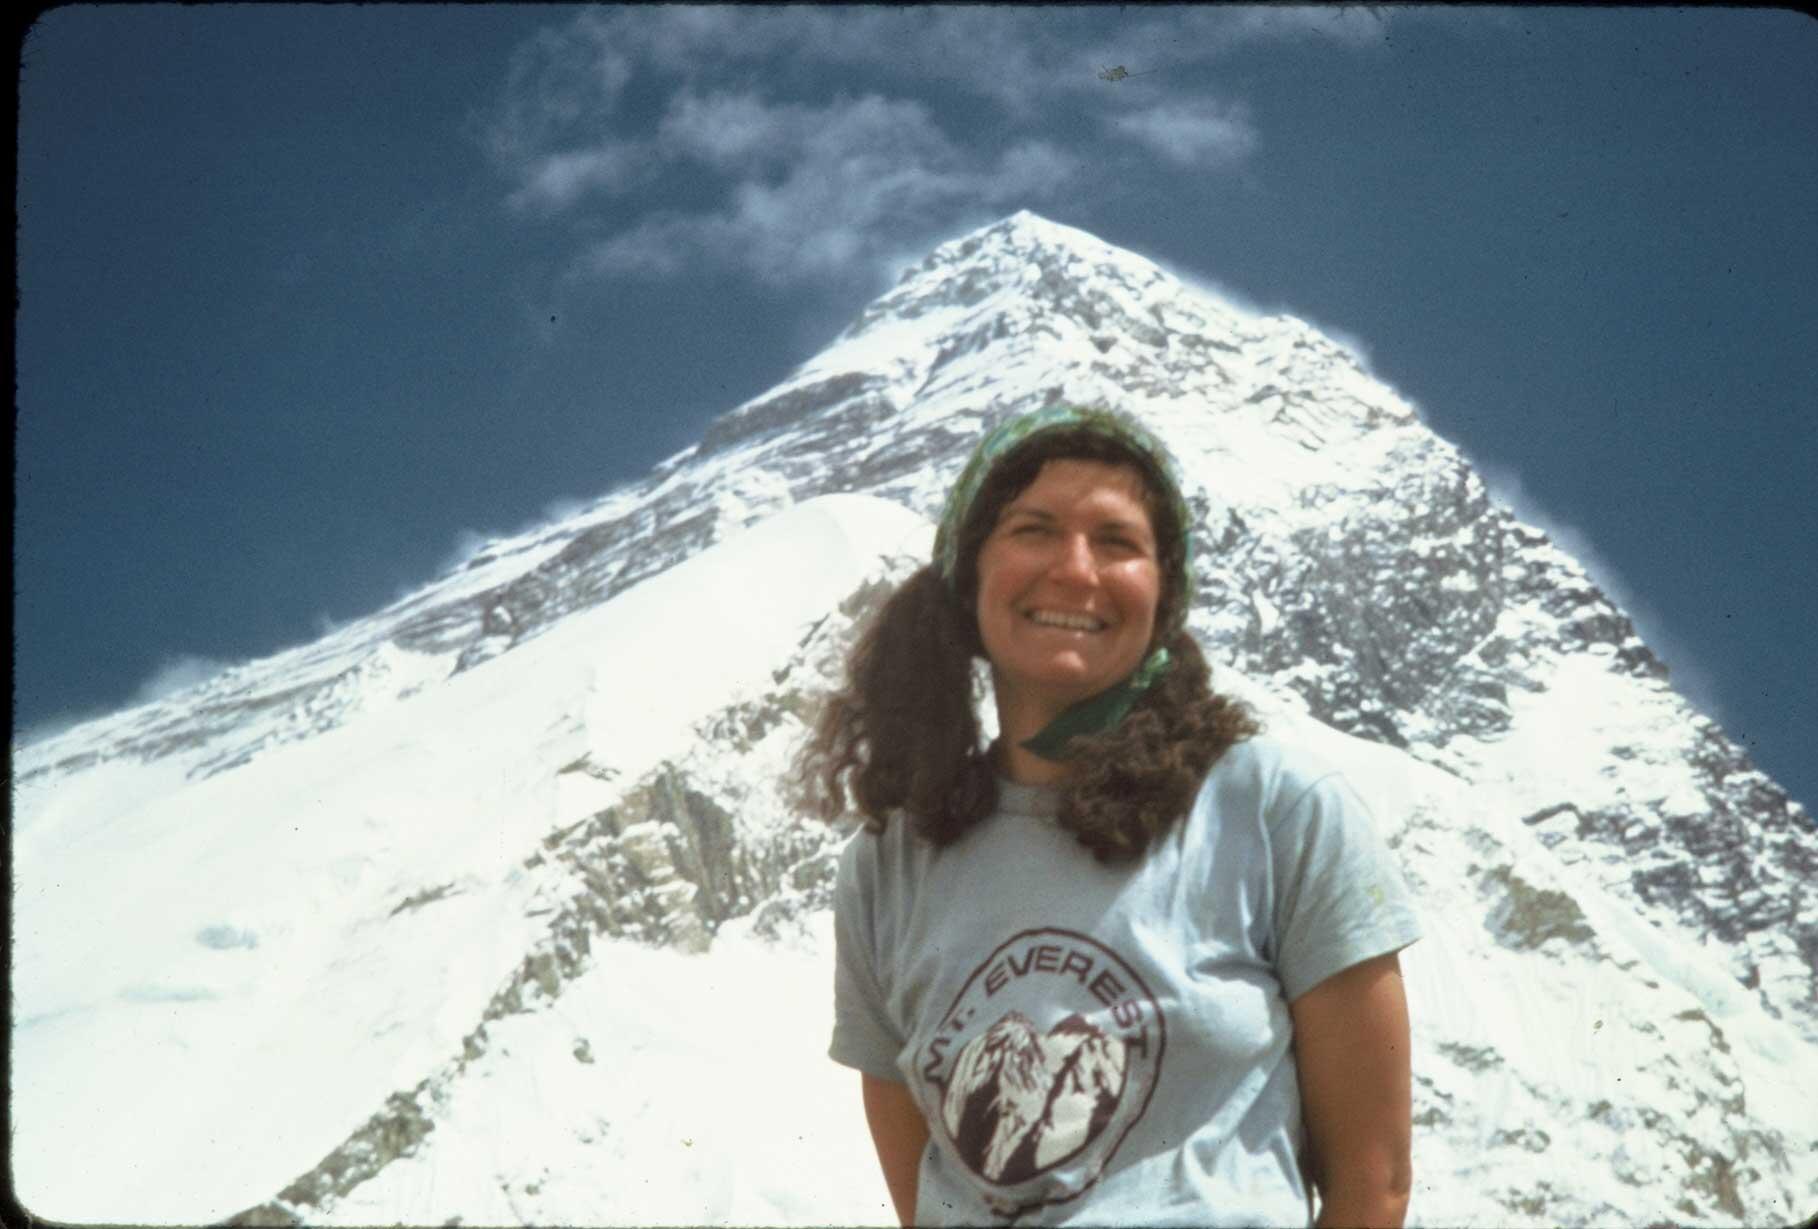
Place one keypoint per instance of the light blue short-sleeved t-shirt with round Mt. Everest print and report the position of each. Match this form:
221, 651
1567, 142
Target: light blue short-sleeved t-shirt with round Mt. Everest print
1112, 1044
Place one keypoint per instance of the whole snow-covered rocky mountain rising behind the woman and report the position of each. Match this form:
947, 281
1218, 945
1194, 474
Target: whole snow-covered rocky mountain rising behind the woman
494, 906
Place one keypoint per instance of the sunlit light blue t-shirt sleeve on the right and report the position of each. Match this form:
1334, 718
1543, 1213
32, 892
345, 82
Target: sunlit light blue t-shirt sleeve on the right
1339, 897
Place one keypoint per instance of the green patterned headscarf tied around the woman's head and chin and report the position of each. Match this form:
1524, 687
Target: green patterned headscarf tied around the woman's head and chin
1112, 706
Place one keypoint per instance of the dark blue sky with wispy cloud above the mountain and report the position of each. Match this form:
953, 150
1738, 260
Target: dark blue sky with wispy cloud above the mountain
314, 295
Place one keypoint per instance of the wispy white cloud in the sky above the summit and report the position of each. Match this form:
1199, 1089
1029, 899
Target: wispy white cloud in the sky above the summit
806, 145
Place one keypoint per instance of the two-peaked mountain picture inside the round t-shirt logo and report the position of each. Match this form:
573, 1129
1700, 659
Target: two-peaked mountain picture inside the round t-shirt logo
1021, 1103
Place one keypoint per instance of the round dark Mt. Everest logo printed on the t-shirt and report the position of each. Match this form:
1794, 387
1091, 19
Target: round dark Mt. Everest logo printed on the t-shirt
1041, 1068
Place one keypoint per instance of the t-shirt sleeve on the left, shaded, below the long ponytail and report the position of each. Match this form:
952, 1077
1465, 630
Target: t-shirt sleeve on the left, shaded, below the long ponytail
863, 1032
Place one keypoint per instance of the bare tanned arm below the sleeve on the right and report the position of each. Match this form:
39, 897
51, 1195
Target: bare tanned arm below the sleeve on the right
1352, 1055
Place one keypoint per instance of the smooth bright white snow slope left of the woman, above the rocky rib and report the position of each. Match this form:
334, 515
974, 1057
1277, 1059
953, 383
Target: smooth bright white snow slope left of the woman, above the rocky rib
246, 959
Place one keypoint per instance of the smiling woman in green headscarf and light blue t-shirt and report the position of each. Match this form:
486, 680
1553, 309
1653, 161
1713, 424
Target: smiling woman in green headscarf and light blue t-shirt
1134, 963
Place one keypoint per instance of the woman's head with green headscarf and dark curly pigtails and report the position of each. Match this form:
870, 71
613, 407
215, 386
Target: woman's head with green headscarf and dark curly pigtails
1059, 514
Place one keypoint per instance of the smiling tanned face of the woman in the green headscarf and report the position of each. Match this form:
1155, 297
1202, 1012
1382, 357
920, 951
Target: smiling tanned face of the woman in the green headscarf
1068, 586
